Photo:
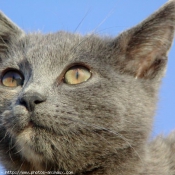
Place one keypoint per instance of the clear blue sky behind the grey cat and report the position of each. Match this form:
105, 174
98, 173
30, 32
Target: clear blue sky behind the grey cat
105, 17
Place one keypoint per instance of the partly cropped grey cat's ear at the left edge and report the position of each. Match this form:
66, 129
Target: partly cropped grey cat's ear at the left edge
9, 32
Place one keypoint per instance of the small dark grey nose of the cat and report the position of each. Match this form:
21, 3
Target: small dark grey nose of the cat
29, 100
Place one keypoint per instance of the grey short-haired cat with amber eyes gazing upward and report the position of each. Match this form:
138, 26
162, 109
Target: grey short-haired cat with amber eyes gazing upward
84, 105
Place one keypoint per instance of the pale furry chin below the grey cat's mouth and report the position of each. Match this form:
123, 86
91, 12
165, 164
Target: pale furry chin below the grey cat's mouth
28, 145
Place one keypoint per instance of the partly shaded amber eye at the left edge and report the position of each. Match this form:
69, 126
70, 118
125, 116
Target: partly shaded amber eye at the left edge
12, 78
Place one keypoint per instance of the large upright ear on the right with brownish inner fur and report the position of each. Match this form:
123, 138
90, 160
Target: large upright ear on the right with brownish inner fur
146, 46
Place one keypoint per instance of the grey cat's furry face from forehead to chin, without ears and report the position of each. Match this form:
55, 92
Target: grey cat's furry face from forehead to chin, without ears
49, 119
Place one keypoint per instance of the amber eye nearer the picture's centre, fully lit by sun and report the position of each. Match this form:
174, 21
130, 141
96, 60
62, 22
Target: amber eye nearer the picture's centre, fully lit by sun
77, 74
